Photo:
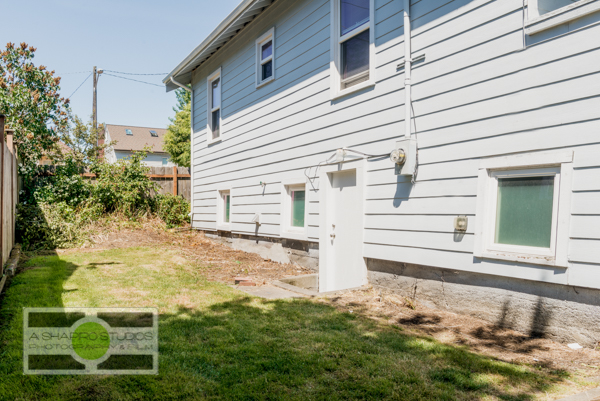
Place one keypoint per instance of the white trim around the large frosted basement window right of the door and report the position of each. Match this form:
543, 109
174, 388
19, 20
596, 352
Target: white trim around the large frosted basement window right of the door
544, 163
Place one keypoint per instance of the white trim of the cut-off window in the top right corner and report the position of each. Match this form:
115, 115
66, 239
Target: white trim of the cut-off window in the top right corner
559, 16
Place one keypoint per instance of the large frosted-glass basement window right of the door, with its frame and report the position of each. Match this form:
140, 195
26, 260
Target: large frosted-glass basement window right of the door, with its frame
522, 210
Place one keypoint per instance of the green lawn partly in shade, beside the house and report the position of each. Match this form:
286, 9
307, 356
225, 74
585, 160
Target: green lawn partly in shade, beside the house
216, 342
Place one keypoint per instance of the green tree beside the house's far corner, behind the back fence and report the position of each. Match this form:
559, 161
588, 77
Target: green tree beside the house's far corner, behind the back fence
177, 140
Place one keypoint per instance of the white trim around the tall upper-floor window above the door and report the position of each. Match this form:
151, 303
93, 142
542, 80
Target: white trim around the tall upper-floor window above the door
335, 60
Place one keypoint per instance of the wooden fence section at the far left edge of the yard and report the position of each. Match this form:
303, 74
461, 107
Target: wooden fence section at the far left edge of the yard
9, 193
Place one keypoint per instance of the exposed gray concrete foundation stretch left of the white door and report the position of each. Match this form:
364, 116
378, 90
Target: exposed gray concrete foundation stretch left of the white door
281, 250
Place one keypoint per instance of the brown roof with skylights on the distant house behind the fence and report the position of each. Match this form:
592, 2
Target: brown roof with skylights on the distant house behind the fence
140, 138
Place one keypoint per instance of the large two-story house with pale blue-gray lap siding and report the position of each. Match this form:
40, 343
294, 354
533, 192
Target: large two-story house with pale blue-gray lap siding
447, 150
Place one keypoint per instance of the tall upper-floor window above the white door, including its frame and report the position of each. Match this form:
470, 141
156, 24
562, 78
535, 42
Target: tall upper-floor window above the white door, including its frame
352, 45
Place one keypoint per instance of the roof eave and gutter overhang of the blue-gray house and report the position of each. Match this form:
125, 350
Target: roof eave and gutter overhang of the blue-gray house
243, 14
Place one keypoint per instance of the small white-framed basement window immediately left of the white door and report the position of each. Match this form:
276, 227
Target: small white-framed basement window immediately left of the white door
294, 211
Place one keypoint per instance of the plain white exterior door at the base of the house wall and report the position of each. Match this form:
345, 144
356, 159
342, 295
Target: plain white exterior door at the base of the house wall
344, 266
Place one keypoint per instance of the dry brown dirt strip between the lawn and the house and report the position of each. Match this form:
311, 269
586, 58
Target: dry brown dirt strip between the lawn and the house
218, 262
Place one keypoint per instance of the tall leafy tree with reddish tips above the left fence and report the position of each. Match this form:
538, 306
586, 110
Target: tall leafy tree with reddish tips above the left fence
29, 97
